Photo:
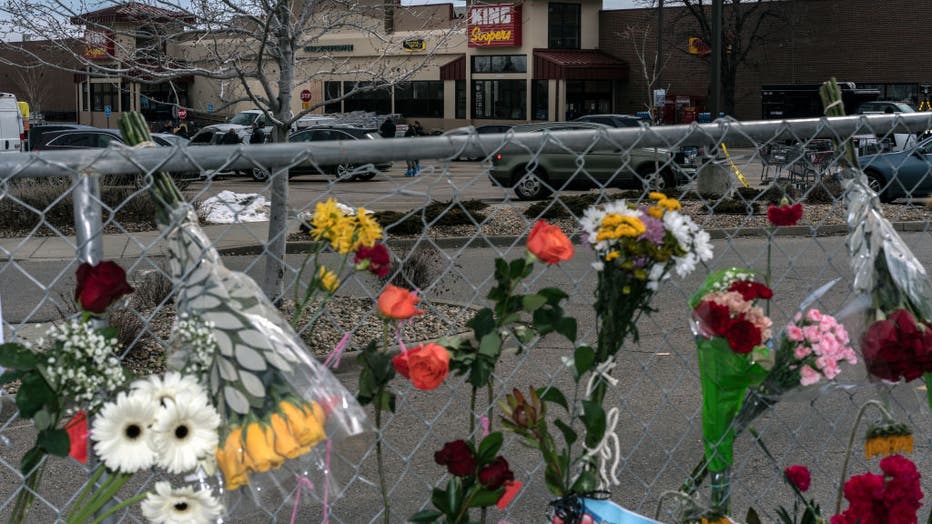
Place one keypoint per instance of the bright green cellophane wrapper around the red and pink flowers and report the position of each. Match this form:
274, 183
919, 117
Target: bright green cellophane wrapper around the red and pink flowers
725, 375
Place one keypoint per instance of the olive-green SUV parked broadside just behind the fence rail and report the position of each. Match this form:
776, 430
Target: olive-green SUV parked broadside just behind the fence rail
536, 176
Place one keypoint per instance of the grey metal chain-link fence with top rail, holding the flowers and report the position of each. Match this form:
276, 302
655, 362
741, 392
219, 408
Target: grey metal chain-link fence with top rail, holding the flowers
444, 227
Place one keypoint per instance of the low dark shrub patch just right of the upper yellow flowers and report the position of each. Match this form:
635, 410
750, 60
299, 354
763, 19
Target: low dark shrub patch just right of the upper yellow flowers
460, 213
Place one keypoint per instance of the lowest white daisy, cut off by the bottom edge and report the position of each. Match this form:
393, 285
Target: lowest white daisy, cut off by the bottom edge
180, 506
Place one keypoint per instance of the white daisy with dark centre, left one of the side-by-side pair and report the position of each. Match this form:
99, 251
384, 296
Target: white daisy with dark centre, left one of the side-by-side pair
121, 433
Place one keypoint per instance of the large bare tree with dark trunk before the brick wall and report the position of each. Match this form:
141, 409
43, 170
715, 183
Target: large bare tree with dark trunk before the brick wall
746, 25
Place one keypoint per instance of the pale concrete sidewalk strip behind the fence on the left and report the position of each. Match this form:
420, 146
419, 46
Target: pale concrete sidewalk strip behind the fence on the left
133, 244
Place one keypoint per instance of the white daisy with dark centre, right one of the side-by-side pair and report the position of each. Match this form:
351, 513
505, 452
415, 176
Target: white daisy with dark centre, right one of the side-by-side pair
185, 431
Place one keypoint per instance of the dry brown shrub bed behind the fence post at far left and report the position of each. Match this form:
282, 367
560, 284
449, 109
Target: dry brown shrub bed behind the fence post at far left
28, 203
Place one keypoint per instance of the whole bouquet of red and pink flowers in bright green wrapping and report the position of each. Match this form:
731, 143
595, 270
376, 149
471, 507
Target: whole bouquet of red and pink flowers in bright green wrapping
732, 334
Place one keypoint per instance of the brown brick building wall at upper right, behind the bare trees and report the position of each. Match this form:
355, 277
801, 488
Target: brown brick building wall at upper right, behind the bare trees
863, 41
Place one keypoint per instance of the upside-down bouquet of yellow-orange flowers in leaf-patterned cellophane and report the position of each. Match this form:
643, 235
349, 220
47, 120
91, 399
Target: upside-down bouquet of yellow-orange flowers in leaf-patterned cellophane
285, 416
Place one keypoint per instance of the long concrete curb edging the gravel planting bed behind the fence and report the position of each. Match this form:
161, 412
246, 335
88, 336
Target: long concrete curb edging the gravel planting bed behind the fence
293, 248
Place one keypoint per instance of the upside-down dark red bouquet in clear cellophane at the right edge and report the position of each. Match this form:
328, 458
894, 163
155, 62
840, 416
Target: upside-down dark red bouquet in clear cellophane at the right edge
893, 294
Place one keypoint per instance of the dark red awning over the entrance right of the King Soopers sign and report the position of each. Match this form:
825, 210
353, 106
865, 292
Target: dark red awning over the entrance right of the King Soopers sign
577, 64
